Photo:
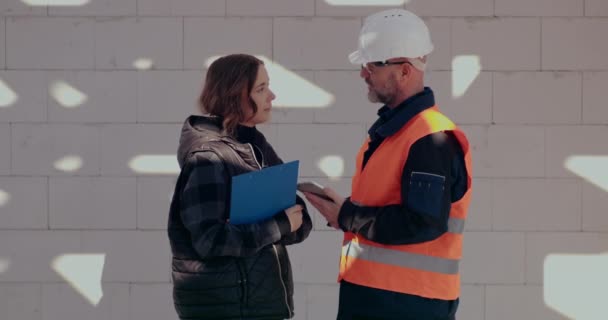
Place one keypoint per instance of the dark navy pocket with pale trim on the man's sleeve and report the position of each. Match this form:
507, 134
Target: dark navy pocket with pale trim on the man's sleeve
426, 193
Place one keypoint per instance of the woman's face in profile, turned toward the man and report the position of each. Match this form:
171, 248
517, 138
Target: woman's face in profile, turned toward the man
262, 96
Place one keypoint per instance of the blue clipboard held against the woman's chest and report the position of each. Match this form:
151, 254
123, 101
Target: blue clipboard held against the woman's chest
259, 195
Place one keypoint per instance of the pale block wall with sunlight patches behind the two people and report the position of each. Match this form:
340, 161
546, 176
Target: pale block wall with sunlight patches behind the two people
88, 89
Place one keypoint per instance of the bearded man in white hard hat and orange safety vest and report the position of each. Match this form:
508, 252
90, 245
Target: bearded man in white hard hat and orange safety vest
404, 220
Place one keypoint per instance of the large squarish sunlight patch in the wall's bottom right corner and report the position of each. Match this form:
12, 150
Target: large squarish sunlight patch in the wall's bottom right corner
575, 285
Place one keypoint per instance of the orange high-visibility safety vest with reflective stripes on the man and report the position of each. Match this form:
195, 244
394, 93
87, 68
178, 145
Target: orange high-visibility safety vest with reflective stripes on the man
428, 269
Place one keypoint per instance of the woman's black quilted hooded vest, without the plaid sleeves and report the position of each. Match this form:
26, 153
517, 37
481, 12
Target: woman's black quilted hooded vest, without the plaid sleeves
257, 287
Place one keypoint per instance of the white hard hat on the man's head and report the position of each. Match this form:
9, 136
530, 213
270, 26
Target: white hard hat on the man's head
392, 34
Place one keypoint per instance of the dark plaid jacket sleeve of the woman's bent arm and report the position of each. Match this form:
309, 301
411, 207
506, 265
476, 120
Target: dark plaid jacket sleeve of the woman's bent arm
203, 210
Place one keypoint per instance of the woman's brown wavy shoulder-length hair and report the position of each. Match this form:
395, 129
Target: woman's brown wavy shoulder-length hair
227, 88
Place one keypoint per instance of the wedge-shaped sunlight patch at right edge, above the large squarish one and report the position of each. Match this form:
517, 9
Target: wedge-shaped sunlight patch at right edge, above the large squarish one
591, 168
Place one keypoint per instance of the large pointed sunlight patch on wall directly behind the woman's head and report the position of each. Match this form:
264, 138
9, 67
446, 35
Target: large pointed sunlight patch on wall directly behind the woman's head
292, 90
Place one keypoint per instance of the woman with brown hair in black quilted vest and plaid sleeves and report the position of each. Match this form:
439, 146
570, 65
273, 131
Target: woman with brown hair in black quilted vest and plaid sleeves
221, 270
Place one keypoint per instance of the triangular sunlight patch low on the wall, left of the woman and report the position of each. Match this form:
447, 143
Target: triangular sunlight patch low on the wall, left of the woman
83, 272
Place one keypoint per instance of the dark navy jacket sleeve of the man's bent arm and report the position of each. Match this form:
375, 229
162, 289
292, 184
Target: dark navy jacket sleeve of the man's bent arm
425, 193
